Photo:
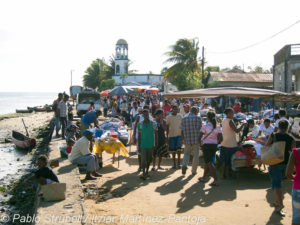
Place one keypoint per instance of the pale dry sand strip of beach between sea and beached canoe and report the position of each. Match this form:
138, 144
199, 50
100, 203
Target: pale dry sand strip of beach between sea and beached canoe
35, 120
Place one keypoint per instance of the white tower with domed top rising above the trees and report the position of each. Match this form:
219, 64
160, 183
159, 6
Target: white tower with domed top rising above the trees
121, 57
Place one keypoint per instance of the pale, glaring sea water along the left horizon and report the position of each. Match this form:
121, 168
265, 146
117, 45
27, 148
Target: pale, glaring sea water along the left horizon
10, 101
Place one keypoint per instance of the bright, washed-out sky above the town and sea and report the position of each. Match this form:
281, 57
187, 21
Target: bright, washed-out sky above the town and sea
42, 41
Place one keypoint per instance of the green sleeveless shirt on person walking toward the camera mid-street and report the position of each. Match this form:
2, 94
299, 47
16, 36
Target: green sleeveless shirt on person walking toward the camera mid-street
147, 134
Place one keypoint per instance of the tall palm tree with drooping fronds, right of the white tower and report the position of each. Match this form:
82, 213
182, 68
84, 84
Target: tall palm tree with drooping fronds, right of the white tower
184, 55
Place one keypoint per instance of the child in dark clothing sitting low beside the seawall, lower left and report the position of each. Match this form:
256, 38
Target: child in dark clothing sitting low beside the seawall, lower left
44, 175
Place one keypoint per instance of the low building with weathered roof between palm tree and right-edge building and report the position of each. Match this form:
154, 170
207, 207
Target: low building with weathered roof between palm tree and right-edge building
251, 80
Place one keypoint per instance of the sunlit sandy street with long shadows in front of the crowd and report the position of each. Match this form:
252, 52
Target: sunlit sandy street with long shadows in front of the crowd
168, 197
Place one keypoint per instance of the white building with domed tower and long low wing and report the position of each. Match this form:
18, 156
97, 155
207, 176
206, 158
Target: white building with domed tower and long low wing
121, 68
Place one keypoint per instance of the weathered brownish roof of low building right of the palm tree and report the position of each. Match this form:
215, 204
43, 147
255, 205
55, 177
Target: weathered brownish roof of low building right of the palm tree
242, 77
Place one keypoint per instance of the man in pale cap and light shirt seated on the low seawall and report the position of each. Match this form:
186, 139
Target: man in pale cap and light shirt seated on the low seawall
82, 154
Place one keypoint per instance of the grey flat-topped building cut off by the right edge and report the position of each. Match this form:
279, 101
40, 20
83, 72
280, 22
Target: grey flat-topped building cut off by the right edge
286, 69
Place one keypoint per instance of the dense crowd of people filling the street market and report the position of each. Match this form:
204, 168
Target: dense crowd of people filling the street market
172, 127
